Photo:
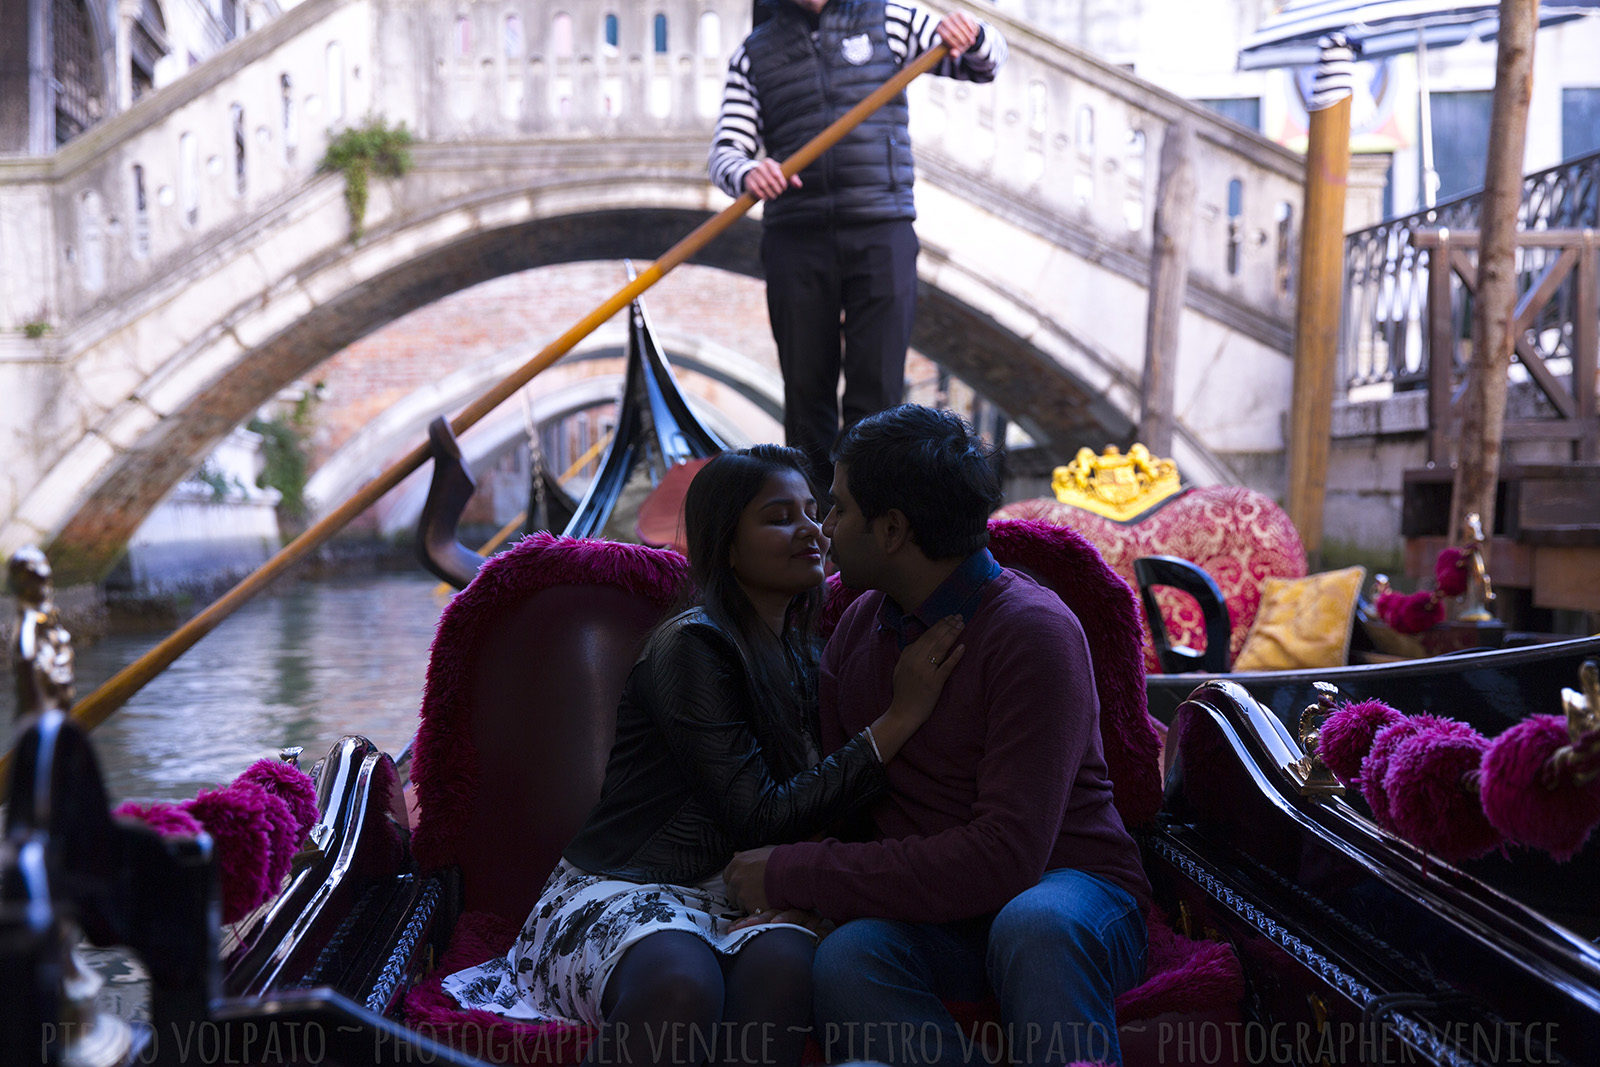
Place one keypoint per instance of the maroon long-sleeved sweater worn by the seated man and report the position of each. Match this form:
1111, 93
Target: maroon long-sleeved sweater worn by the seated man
1002, 785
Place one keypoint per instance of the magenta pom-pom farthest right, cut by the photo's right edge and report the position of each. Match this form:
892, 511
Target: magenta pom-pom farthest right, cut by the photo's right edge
1521, 799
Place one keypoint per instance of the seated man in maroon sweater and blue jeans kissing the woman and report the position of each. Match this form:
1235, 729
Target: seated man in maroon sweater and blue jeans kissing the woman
998, 861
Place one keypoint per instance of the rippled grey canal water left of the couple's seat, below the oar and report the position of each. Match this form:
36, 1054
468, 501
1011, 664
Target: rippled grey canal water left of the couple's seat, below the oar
302, 665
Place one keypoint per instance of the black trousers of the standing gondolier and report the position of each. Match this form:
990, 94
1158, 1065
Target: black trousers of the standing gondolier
839, 297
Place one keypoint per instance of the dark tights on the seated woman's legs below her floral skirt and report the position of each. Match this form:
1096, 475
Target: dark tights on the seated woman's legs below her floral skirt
673, 1001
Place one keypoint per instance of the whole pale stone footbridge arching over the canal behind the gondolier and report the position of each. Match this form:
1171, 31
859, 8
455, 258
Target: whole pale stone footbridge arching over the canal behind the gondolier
190, 260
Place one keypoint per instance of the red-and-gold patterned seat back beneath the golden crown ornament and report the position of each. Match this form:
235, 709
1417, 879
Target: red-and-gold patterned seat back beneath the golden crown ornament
1238, 535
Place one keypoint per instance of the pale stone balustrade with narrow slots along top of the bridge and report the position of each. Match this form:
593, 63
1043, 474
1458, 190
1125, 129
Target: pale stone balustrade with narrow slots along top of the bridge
1063, 143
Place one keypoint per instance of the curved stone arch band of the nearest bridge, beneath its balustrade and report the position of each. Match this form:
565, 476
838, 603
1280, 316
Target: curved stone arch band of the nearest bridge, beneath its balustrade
423, 246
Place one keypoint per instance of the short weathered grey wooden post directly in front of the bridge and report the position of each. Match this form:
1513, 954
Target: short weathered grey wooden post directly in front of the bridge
1170, 230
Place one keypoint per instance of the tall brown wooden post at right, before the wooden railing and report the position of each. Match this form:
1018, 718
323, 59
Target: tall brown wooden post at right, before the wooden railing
1494, 311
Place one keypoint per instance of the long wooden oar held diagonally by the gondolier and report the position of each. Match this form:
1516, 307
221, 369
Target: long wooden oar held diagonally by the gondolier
100, 705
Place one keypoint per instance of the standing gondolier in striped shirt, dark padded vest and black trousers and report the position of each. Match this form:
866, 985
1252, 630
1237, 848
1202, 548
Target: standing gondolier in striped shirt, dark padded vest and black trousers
838, 241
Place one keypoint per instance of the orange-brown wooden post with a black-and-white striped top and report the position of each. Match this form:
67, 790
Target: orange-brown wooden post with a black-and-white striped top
1321, 290
